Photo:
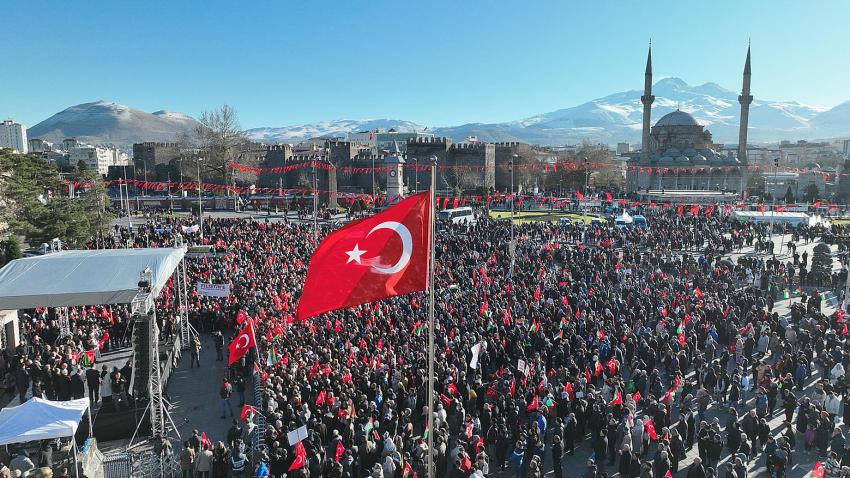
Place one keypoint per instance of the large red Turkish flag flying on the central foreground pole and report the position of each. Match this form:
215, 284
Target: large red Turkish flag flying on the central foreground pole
370, 259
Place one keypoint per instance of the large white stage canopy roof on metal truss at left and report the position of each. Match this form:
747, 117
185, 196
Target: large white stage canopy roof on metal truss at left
71, 278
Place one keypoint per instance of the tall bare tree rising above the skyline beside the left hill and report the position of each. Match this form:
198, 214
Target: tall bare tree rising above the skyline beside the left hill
219, 136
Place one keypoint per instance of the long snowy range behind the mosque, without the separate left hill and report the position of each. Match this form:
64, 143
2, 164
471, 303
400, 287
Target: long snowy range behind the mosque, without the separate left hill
617, 117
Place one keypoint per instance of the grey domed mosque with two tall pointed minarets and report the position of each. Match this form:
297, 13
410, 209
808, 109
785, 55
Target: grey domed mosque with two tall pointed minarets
678, 154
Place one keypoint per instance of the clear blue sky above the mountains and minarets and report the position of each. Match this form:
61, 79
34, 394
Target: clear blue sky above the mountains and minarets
435, 62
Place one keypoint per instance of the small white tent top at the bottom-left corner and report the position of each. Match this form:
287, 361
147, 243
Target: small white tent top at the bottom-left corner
40, 419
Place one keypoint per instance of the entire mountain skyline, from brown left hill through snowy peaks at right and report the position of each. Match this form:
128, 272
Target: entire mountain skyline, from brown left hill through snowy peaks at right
611, 119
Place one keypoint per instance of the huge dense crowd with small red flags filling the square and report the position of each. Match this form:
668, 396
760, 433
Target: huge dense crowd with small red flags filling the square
629, 346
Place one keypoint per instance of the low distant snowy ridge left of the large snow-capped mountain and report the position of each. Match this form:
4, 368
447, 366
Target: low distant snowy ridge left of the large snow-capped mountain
337, 129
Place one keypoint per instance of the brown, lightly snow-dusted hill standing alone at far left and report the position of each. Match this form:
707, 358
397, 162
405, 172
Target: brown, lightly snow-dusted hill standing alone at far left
103, 122
